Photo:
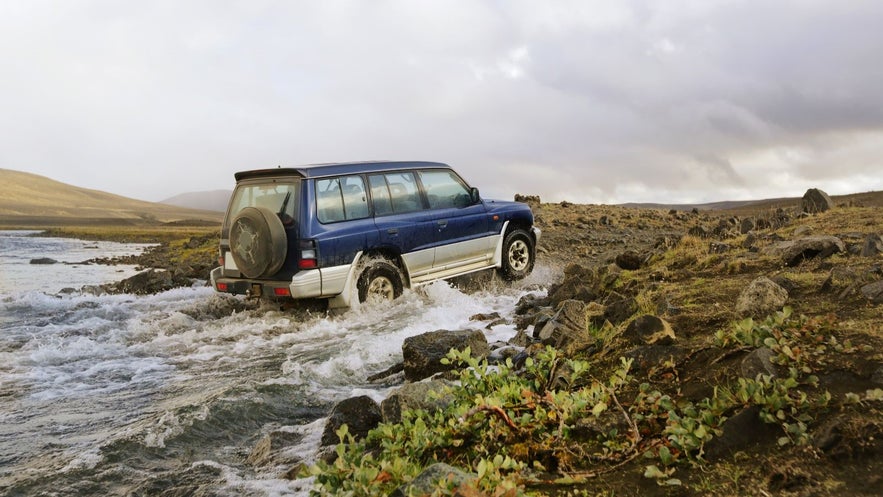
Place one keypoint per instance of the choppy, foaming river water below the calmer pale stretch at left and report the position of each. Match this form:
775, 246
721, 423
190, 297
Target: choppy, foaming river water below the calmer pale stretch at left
126, 395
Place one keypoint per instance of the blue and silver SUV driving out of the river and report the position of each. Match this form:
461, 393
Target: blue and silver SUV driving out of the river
326, 230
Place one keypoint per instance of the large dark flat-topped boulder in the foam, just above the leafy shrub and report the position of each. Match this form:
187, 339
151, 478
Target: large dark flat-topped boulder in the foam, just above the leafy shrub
423, 353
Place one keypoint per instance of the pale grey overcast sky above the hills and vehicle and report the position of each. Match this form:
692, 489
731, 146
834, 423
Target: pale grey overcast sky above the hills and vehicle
594, 102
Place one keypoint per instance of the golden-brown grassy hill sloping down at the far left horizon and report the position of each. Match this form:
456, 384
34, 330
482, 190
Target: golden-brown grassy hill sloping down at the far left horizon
33, 200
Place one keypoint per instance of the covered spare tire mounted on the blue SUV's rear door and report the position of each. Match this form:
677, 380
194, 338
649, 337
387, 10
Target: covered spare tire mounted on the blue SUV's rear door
258, 242
